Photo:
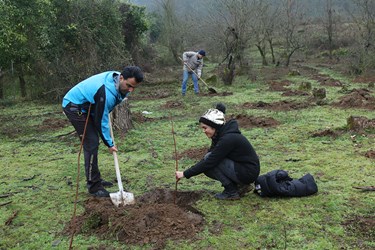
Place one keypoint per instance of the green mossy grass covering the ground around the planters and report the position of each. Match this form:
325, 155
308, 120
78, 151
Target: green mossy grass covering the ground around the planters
38, 171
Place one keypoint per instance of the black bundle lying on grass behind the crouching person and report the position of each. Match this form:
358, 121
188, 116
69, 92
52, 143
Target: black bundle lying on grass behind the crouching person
278, 183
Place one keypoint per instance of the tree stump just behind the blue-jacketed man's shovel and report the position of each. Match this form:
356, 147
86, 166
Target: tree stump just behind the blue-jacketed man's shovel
121, 117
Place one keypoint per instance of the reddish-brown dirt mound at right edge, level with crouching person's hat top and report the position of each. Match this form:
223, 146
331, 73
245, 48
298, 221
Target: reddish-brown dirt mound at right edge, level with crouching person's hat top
358, 98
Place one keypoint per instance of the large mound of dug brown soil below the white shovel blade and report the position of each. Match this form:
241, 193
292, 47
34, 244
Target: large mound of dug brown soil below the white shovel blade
156, 217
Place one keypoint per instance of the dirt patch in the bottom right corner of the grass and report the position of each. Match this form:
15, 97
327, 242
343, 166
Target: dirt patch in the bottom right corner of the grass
362, 226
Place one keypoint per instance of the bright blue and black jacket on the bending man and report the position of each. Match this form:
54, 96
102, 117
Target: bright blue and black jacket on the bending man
102, 92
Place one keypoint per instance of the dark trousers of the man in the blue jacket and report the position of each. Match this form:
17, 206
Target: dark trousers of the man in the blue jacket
90, 145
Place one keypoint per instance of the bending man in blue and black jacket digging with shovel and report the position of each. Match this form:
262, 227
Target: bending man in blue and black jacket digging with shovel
103, 92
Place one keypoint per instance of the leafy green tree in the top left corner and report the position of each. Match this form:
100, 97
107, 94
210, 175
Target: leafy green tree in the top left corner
22, 30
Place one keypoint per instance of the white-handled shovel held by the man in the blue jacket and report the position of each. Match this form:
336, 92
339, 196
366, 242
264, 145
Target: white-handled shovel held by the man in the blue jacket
121, 197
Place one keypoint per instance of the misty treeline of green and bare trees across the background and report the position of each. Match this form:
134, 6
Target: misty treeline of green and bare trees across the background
46, 46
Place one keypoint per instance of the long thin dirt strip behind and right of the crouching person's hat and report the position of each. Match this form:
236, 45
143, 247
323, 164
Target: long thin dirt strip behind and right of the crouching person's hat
276, 106
